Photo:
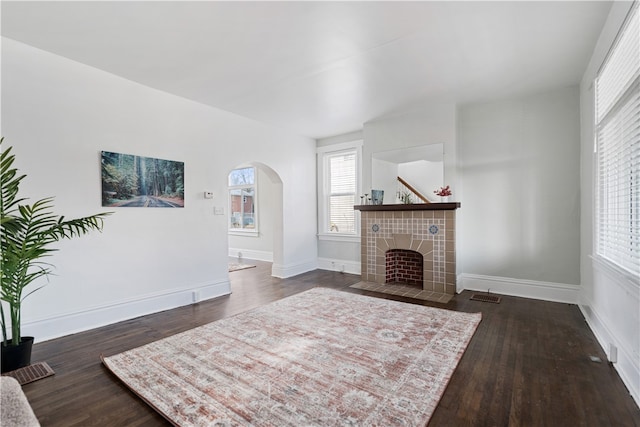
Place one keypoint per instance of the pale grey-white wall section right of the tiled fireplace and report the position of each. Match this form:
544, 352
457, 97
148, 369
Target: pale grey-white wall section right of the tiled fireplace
519, 169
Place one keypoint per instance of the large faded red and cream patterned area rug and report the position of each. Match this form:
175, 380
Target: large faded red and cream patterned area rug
320, 358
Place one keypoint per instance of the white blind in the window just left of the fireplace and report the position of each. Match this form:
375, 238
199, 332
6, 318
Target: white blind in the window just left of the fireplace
342, 169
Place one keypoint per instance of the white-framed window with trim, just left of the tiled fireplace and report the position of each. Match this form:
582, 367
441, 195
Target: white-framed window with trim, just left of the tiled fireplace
339, 181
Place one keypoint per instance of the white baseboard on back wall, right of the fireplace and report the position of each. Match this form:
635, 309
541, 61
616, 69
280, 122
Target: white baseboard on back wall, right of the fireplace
548, 291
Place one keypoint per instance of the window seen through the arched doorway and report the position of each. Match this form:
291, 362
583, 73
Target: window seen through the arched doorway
243, 200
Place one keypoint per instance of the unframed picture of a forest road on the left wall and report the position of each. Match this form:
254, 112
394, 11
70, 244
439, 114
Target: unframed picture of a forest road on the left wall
135, 181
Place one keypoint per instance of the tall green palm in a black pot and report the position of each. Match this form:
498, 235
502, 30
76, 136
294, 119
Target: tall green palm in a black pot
26, 233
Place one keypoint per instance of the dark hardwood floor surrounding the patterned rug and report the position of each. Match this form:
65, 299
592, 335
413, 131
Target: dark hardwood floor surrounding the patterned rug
527, 365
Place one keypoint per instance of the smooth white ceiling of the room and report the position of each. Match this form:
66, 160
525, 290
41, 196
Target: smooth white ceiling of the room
321, 68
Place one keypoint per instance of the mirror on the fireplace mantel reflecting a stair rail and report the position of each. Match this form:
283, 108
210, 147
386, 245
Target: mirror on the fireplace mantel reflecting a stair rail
421, 167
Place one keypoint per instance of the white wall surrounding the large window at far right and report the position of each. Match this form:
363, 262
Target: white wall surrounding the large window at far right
609, 301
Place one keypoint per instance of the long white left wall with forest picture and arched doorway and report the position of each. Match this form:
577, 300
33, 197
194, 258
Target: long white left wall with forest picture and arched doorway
59, 115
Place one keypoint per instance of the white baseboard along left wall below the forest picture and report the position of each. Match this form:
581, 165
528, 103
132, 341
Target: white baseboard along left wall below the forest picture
95, 317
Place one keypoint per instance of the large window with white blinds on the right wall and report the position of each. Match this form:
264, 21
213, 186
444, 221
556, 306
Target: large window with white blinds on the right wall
618, 150
